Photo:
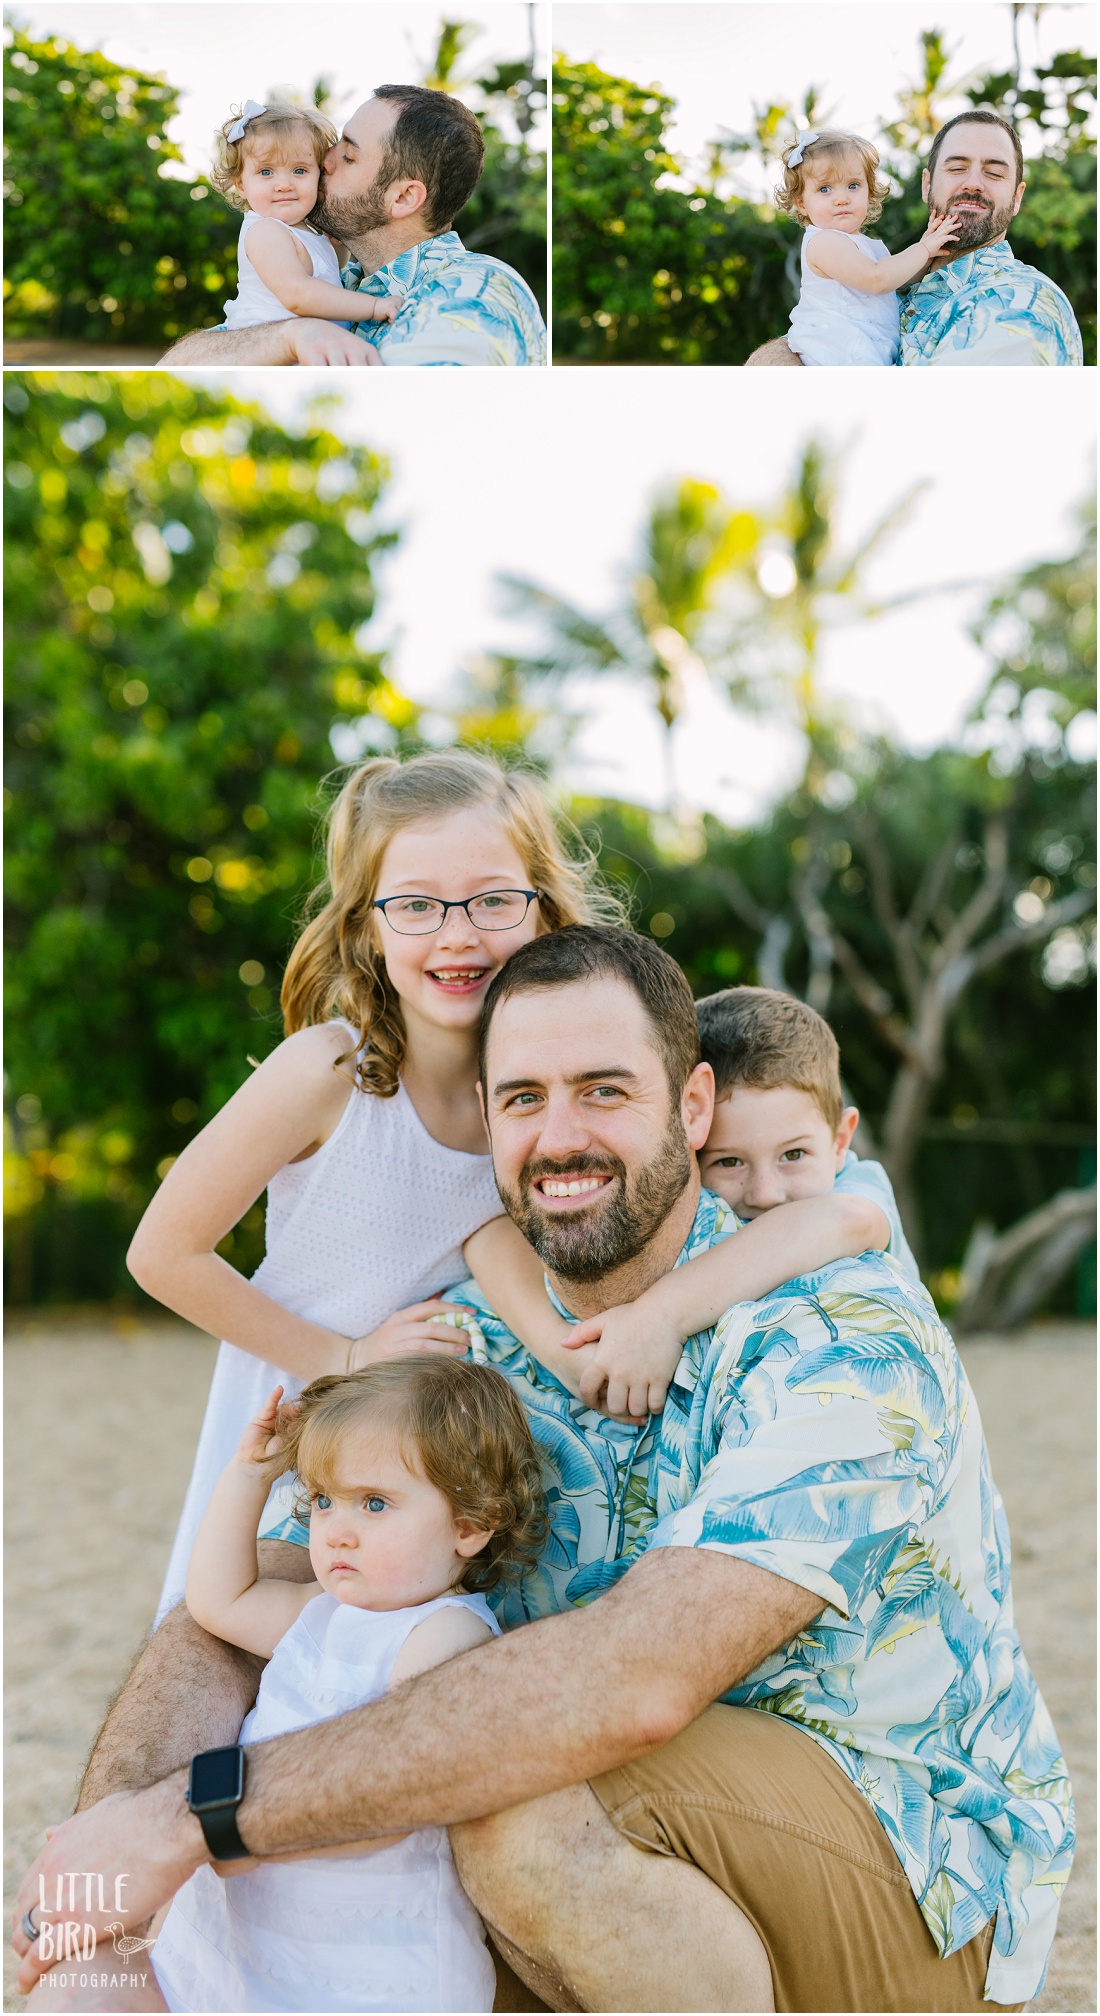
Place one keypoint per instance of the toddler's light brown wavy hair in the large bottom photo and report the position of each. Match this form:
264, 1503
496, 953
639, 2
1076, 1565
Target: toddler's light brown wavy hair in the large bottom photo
462, 1426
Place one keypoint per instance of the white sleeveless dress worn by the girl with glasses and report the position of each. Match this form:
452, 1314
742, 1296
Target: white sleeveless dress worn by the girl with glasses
374, 1223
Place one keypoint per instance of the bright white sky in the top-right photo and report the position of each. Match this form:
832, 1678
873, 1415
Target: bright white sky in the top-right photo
720, 59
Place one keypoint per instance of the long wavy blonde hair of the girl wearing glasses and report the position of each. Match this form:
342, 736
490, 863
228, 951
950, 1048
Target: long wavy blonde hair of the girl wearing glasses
337, 967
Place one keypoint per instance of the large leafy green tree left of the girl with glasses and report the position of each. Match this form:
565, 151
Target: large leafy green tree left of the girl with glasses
190, 602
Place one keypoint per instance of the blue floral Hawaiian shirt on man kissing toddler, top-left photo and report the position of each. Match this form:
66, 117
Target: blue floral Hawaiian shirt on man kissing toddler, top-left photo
460, 307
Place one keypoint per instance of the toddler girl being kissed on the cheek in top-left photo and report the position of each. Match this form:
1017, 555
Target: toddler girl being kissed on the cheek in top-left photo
269, 166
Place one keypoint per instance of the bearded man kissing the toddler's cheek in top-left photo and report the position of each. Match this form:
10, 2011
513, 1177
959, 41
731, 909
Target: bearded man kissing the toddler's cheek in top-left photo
392, 188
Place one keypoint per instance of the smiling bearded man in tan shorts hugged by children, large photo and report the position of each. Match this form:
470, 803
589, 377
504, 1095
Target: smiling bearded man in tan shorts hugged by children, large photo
759, 1733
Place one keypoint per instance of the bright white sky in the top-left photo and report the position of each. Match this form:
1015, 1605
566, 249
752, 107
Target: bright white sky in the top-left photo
219, 53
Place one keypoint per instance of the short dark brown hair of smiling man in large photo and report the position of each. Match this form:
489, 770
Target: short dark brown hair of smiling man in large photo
601, 953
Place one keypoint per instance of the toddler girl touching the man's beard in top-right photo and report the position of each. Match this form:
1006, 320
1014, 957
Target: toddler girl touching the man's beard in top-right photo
847, 311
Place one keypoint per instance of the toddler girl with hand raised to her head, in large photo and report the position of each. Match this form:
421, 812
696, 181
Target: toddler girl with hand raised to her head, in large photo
422, 1489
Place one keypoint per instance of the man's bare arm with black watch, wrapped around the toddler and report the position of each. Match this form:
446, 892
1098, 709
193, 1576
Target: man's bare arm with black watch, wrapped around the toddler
507, 1723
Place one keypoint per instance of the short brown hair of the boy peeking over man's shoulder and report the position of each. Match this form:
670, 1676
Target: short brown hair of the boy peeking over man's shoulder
767, 1039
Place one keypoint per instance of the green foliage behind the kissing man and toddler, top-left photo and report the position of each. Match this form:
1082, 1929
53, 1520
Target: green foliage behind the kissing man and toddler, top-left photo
110, 241
